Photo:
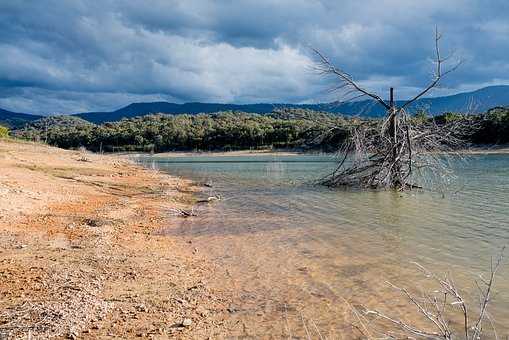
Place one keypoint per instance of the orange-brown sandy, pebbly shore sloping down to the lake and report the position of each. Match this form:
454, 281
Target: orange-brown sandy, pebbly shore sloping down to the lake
79, 256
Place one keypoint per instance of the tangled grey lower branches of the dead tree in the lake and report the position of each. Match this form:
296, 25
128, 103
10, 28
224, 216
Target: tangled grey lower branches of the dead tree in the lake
374, 158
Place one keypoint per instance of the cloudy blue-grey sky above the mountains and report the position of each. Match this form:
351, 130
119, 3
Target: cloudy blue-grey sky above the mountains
74, 56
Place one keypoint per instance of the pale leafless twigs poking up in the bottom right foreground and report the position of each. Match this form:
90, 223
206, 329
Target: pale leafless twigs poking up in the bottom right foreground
446, 312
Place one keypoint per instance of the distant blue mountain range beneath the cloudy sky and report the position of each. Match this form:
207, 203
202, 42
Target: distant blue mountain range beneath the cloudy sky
468, 102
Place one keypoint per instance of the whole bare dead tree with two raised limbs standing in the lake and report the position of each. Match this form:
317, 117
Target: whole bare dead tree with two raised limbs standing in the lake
391, 153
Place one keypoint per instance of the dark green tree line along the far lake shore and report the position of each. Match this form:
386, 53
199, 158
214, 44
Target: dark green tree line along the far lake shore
284, 128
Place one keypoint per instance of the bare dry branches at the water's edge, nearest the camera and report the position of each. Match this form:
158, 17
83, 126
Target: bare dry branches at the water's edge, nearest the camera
441, 305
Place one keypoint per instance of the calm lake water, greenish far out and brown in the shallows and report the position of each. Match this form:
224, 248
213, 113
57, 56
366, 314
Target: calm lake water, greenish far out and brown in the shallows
302, 255
